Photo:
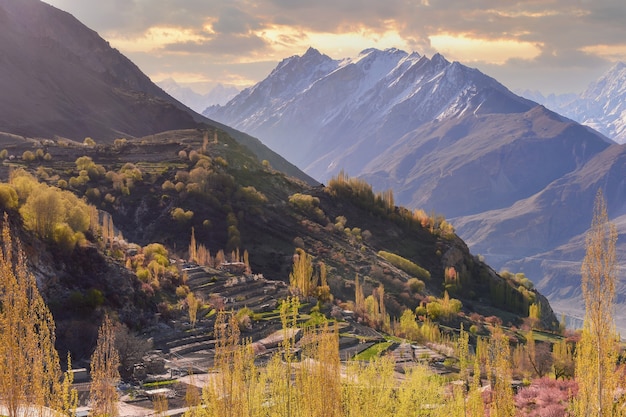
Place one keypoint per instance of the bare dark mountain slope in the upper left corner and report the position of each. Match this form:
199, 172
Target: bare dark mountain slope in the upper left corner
59, 78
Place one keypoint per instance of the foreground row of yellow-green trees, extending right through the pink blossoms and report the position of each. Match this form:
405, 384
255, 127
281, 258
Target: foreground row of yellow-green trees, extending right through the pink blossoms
305, 377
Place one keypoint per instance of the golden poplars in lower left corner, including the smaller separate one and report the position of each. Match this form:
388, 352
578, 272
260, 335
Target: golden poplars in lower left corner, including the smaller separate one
31, 380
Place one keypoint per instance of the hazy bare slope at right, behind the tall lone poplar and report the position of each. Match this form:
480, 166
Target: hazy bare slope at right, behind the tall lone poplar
543, 235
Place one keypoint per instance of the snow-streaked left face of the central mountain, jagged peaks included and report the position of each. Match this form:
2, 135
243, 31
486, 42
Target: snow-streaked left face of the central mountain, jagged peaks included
364, 100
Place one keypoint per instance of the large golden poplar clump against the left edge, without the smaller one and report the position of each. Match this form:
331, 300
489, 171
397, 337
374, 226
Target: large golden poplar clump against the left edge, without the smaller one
30, 373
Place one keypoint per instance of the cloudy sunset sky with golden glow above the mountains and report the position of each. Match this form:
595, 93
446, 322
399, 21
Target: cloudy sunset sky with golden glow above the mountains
546, 45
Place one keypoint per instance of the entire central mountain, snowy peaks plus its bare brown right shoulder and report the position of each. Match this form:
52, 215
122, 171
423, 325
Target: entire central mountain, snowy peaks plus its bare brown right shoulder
412, 124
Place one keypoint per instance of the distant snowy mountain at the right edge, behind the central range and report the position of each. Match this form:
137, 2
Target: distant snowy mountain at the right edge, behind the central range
601, 106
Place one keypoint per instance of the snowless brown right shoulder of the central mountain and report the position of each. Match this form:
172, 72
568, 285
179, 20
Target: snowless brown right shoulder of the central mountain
480, 162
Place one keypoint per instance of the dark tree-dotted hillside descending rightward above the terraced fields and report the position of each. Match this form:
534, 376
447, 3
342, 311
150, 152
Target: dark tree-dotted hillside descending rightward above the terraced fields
164, 188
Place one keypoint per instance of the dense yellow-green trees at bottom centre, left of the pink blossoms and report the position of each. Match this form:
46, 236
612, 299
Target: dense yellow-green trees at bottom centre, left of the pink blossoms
311, 383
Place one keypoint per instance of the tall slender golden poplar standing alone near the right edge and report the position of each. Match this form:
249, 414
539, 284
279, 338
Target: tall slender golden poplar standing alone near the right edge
597, 350
